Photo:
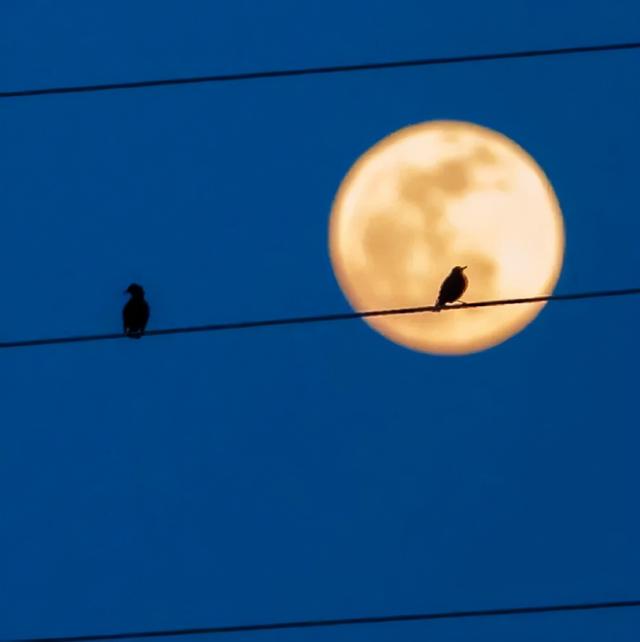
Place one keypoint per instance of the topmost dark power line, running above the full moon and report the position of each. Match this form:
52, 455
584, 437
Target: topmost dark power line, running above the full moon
315, 71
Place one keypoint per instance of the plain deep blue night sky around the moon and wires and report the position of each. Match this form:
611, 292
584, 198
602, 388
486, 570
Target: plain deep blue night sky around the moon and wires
315, 471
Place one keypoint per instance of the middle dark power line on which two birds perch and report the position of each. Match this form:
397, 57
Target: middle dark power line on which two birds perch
320, 318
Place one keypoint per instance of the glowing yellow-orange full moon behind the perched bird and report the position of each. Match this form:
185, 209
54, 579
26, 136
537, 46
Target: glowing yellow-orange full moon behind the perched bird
436, 195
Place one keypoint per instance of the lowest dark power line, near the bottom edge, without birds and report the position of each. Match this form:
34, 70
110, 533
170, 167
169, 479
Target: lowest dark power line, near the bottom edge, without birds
351, 621
